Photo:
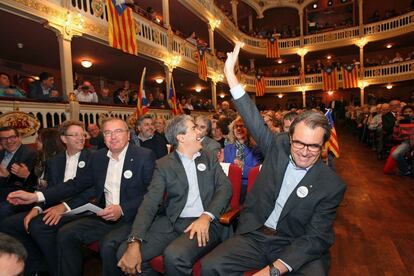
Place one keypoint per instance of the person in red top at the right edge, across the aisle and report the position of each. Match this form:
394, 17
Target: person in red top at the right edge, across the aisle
404, 133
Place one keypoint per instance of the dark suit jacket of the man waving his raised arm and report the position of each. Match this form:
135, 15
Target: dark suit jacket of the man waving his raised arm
305, 227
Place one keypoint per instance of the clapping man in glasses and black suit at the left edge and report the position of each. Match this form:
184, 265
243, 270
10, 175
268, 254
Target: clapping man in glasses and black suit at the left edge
14, 158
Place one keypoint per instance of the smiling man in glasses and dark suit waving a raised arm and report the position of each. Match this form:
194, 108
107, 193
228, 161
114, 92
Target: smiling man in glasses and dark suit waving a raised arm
286, 224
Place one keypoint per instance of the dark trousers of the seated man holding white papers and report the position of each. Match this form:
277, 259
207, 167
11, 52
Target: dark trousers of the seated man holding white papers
72, 236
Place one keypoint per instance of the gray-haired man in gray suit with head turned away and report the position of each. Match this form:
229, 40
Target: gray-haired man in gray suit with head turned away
194, 192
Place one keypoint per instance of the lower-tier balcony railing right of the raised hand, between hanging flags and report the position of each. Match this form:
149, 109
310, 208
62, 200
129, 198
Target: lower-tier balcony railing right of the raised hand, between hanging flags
373, 75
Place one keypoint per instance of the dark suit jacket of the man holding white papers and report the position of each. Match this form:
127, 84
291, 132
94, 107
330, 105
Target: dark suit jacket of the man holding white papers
139, 161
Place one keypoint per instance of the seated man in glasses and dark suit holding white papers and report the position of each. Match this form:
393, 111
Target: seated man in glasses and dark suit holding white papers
117, 178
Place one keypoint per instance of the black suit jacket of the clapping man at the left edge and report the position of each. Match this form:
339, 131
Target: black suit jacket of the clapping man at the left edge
23, 155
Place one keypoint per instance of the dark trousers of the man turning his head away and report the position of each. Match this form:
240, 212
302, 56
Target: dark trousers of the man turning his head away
179, 252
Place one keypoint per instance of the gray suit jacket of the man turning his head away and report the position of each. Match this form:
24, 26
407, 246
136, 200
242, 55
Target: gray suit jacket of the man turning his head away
169, 184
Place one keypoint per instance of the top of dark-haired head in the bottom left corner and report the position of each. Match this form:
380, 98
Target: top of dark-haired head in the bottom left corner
12, 256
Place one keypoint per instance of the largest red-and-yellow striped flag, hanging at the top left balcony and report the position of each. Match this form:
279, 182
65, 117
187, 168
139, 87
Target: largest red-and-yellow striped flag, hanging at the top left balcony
121, 27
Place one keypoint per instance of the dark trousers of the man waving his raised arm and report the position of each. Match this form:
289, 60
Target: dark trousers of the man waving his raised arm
253, 251
